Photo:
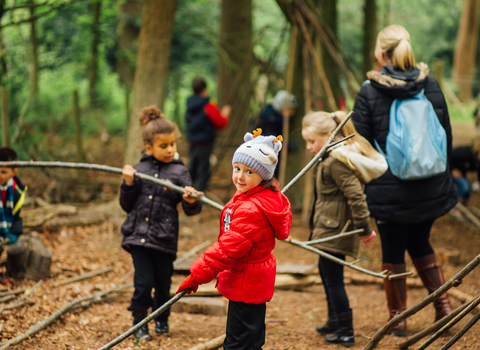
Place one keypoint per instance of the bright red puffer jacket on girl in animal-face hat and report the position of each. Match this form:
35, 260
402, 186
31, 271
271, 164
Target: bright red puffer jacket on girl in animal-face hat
243, 255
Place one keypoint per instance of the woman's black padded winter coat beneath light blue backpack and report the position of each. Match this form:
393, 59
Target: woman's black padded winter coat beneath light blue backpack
389, 198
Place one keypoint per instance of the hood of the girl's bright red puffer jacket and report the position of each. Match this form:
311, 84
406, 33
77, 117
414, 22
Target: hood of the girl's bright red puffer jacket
274, 205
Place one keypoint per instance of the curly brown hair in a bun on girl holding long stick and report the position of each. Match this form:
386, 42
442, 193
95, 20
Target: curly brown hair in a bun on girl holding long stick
154, 122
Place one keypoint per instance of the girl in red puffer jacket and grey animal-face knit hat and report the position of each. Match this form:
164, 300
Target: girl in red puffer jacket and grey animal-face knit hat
242, 258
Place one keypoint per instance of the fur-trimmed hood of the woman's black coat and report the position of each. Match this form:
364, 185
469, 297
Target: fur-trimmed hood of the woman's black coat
398, 83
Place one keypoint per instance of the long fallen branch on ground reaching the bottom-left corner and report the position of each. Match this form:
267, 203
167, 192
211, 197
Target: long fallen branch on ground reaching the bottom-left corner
64, 309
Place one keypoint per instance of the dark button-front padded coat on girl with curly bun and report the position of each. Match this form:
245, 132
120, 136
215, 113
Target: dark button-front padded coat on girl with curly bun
152, 219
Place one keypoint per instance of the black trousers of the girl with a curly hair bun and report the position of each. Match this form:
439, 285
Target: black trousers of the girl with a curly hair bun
153, 270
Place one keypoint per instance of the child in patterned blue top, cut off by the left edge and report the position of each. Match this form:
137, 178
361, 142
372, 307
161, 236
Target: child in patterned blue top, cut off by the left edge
13, 196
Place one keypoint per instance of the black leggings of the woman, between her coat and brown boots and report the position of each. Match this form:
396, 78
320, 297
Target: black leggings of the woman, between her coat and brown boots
397, 238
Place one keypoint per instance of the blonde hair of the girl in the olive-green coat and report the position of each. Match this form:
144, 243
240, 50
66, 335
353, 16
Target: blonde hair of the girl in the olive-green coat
323, 123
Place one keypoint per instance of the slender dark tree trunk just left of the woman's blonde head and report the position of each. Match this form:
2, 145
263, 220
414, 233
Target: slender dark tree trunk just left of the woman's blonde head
369, 35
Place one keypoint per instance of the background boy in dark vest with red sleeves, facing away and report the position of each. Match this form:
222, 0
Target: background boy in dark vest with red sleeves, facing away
203, 119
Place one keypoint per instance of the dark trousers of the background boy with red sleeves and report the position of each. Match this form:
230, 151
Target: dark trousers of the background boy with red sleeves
199, 166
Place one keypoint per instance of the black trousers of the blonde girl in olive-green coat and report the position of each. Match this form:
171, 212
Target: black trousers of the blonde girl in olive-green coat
332, 279
